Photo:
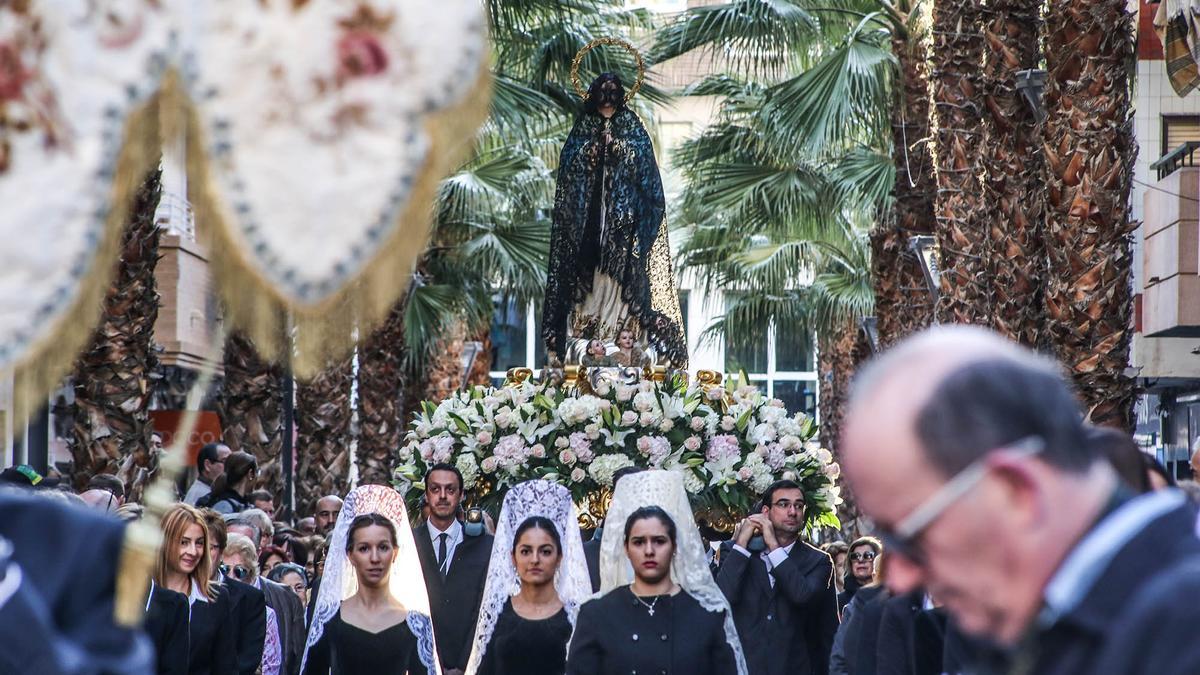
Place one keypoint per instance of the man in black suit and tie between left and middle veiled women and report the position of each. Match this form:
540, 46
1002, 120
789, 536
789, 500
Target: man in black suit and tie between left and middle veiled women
455, 568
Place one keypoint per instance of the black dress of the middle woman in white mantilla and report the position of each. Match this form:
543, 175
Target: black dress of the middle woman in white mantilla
525, 647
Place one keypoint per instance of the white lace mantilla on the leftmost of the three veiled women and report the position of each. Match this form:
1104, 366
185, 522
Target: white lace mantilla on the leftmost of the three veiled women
407, 583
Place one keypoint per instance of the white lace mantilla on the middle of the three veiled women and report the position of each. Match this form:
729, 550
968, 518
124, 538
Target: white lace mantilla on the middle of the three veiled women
524, 501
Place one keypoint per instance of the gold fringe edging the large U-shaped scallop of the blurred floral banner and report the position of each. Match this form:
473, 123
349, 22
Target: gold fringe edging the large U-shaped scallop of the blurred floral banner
325, 333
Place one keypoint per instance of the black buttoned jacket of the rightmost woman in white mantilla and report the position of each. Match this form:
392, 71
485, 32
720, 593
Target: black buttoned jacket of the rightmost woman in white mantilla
616, 636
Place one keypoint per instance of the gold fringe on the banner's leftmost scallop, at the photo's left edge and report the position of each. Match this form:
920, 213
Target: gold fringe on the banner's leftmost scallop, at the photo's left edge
53, 356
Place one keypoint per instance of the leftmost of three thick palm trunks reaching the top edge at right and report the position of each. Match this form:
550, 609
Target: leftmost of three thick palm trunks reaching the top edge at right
963, 231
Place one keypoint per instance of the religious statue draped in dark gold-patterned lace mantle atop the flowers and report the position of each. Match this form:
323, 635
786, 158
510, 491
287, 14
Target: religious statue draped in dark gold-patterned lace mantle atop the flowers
610, 261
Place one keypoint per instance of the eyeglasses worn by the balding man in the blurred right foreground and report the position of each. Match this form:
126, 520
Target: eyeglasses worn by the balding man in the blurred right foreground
903, 539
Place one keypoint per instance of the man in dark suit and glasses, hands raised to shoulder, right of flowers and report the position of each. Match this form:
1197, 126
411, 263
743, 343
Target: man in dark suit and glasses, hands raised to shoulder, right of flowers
784, 601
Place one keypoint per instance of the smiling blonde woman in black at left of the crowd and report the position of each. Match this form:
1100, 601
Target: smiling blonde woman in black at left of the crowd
185, 568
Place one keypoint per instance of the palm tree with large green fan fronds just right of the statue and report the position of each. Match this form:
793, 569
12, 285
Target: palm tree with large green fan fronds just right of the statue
778, 190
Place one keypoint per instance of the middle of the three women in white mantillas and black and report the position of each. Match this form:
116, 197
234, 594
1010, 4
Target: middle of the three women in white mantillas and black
537, 582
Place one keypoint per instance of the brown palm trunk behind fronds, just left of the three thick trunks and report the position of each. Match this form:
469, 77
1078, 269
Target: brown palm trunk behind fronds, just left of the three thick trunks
903, 302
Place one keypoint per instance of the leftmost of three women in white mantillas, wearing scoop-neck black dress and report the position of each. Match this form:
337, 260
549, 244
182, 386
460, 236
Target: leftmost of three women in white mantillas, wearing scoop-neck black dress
370, 632
